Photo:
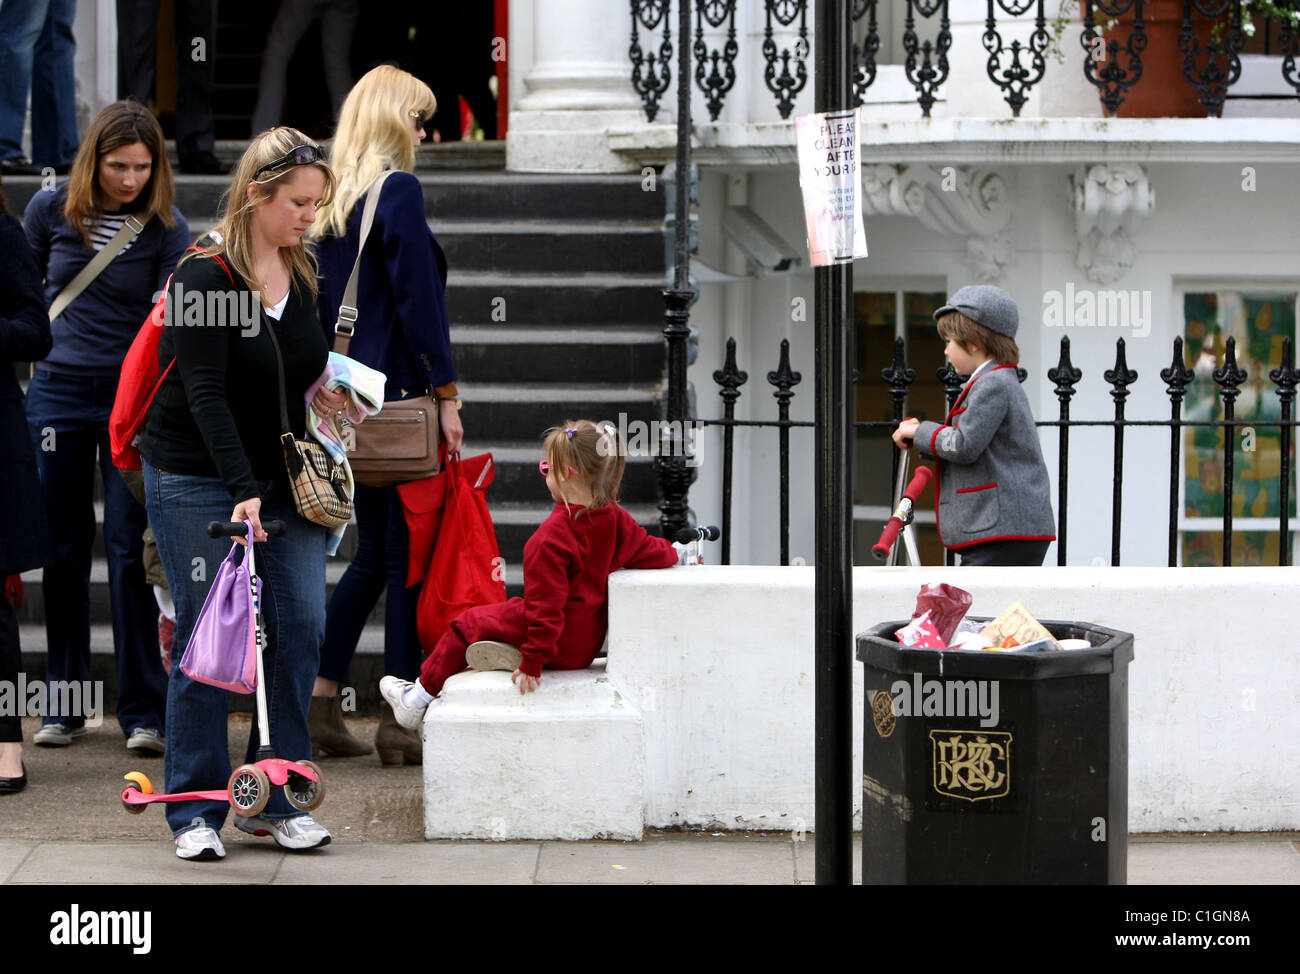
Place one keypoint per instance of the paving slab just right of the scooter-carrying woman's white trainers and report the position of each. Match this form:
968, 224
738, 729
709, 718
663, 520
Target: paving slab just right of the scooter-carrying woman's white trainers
432, 864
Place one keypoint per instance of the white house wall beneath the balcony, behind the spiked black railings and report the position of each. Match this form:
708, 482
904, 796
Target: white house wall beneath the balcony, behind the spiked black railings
1204, 230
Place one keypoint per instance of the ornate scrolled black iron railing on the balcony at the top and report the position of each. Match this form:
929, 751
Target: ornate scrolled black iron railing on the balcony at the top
1017, 37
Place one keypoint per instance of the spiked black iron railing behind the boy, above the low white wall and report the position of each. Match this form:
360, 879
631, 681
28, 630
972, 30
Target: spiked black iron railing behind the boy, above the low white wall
1065, 376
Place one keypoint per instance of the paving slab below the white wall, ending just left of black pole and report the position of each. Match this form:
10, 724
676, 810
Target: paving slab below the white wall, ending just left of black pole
670, 860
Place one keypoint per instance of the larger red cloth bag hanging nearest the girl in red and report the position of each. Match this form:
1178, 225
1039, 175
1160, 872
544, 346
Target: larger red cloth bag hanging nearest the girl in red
466, 569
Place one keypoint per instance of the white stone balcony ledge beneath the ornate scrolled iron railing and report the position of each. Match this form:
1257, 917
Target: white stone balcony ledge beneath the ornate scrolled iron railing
967, 141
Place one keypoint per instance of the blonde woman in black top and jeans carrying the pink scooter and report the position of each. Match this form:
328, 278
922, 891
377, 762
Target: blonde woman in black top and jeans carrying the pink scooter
240, 315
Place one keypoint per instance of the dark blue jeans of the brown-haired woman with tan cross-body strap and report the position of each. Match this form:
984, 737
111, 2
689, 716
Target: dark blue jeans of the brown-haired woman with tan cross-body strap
68, 421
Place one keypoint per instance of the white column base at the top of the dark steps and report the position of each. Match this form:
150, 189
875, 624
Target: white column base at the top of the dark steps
579, 86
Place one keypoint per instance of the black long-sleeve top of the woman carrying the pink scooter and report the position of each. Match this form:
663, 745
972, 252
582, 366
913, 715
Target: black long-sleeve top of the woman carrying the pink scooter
218, 413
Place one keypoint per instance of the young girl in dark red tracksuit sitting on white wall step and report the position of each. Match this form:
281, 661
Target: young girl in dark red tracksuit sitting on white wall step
561, 621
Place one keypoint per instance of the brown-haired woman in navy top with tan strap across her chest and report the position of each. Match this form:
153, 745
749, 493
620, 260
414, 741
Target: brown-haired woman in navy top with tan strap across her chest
116, 205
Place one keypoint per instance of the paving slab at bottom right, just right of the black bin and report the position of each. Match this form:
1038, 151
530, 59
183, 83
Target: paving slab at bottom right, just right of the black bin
1229, 862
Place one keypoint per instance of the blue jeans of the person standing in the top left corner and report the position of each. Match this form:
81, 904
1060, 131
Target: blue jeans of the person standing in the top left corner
38, 51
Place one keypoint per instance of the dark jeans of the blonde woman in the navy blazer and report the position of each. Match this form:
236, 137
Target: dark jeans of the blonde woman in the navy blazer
383, 546
